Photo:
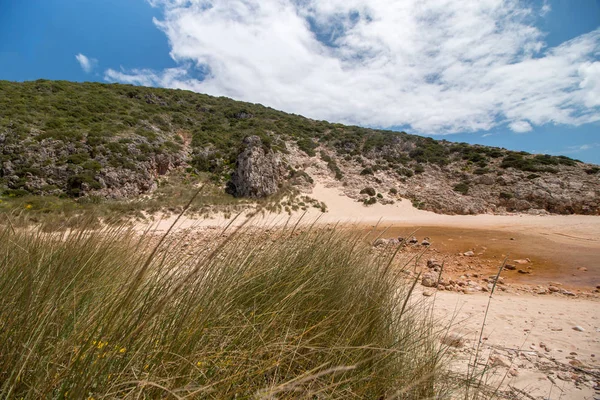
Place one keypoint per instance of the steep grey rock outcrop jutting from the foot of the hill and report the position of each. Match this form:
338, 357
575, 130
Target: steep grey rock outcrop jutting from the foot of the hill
257, 170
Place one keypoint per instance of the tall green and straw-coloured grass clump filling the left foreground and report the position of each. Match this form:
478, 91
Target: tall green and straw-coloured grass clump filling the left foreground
105, 314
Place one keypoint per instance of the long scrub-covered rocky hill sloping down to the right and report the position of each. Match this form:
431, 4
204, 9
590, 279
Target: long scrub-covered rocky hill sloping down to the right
83, 140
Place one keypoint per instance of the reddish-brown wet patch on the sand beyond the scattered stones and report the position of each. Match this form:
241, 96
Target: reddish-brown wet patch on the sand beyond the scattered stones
550, 261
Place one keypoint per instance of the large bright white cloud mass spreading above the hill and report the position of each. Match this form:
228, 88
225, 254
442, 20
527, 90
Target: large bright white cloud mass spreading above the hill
440, 66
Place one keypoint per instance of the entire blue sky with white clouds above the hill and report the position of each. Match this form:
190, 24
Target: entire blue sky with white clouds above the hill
530, 82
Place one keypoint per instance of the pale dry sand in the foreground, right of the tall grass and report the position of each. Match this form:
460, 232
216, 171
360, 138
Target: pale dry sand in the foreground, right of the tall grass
534, 336
